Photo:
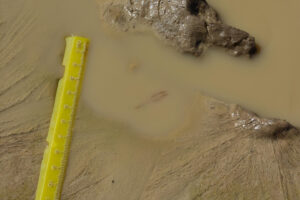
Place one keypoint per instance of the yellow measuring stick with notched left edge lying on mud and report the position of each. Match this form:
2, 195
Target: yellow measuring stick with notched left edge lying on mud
59, 137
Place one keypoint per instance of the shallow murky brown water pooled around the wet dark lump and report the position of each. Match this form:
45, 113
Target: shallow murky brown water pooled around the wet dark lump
135, 79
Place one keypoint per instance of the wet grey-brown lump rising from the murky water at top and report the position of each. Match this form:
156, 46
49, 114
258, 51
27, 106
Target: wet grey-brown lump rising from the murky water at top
190, 25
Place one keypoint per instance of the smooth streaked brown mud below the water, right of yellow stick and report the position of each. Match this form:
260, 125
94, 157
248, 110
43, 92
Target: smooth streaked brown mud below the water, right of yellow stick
208, 157
